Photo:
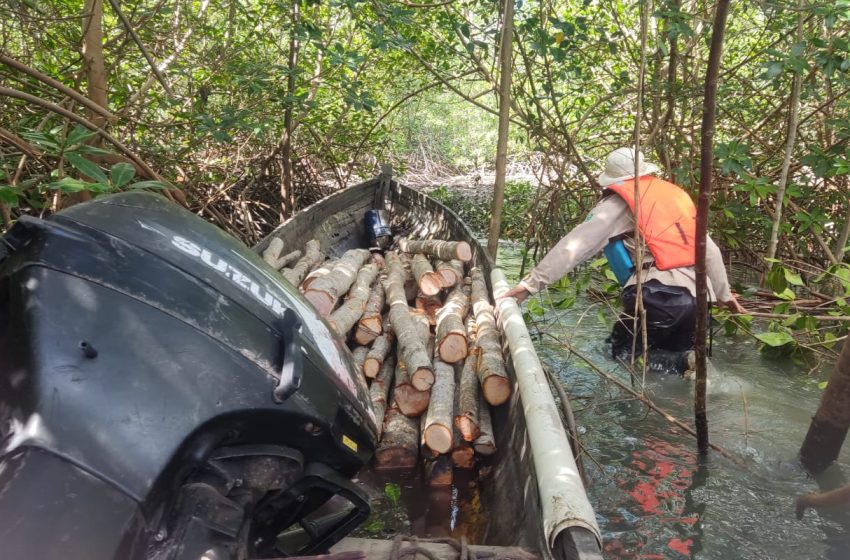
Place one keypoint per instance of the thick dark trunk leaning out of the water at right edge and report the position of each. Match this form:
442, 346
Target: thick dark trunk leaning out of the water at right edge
831, 422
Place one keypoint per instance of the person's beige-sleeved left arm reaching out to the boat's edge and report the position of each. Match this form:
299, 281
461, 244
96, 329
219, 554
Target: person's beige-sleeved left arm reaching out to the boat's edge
609, 218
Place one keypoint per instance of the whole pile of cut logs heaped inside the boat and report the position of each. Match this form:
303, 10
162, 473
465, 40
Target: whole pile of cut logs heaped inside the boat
434, 368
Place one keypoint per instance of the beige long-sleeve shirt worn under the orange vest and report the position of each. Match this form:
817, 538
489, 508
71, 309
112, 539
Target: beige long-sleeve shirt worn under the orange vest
612, 217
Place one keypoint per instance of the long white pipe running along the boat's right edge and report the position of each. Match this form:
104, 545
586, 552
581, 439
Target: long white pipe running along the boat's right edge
562, 495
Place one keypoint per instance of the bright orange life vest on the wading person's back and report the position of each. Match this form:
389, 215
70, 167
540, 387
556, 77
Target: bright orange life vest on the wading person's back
667, 220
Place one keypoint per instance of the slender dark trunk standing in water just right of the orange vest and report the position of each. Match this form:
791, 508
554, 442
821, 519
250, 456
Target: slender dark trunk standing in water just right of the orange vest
706, 169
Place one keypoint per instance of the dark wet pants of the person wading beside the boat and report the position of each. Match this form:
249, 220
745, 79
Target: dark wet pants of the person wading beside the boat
670, 320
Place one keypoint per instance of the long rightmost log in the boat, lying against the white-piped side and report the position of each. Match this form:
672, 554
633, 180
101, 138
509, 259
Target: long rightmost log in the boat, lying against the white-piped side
495, 384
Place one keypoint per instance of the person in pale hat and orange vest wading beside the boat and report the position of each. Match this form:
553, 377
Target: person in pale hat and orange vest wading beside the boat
667, 224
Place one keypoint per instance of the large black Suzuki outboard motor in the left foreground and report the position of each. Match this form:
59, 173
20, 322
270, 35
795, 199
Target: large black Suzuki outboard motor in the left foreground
164, 394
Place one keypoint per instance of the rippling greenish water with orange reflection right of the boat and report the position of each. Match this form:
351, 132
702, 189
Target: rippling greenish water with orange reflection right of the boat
654, 496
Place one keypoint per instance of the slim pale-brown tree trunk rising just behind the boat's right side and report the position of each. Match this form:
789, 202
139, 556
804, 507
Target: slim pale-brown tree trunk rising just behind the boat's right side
505, 60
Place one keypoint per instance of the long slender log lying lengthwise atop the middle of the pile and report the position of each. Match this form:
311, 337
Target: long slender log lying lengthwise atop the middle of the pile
411, 349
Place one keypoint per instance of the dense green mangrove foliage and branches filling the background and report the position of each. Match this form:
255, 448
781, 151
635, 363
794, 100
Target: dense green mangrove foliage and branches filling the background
247, 110
